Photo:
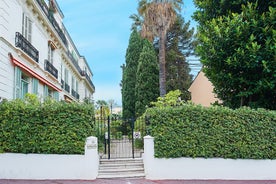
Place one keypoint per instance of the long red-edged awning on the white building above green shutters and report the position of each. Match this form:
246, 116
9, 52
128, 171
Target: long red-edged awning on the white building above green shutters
33, 73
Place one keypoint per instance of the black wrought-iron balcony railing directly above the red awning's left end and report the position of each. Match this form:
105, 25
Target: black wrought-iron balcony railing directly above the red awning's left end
26, 46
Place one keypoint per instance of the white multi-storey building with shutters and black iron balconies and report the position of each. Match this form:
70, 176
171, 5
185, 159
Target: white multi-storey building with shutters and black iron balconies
37, 54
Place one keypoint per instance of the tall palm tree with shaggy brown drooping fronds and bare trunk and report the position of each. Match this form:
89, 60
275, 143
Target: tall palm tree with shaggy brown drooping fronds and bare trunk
158, 17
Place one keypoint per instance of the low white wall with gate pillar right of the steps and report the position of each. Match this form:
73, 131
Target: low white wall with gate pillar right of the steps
205, 169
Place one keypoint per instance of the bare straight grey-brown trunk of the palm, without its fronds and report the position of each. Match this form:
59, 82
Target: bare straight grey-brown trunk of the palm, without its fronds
162, 63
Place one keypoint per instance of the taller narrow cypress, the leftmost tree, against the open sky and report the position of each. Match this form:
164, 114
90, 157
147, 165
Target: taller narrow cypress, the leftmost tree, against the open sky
129, 74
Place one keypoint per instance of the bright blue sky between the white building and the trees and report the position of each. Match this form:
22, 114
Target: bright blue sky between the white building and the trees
100, 30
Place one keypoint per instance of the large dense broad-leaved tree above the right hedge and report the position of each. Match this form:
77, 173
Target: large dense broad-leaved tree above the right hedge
237, 49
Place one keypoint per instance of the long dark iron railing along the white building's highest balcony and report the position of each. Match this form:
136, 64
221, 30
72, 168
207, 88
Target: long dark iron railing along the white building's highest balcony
51, 18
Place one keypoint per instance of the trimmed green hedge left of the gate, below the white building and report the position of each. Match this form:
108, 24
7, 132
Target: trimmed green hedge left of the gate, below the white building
51, 128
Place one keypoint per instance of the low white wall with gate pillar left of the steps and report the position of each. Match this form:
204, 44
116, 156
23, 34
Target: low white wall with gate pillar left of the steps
47, 167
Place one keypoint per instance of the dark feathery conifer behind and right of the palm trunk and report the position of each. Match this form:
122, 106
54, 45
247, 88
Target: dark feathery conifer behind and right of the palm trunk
180, 44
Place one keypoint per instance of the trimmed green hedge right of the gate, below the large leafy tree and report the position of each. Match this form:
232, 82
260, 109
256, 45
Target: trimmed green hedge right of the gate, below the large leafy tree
196, 131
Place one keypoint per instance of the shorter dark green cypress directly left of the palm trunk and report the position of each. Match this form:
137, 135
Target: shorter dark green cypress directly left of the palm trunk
147, 85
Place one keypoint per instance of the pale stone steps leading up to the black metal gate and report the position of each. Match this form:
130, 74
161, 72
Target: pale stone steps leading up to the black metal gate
121, 168
